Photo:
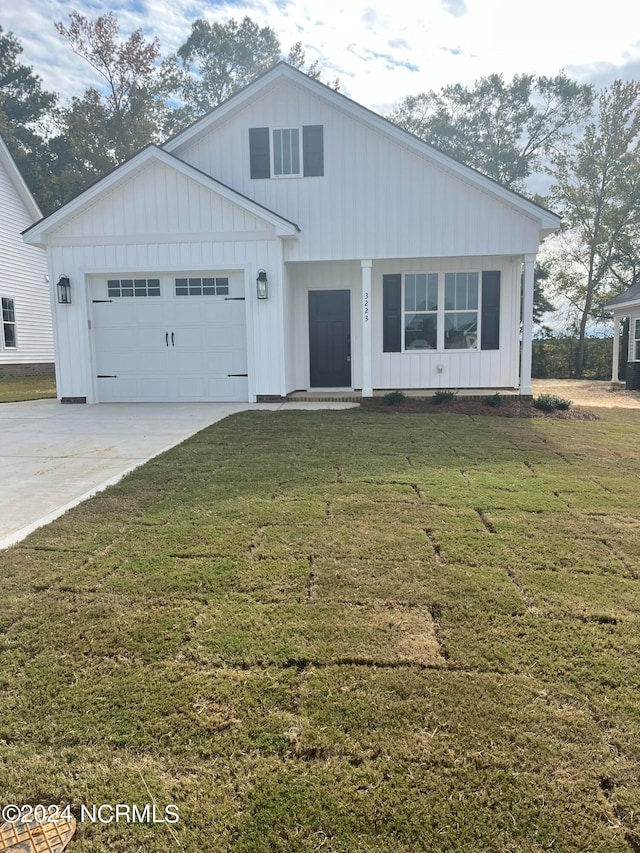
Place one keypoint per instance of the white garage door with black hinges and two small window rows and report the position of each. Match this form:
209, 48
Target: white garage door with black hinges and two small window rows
170, 338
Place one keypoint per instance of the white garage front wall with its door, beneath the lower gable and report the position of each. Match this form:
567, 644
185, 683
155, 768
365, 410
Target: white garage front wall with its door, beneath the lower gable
117, 240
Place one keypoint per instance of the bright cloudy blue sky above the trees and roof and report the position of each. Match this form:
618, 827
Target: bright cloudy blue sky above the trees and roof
381, 50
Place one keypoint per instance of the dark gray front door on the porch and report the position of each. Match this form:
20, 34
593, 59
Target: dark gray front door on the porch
330, 338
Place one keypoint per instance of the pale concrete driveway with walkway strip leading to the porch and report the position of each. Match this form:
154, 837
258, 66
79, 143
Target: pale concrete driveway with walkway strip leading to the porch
52, 456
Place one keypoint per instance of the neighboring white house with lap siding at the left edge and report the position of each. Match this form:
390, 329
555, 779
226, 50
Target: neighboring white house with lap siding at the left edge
26, 338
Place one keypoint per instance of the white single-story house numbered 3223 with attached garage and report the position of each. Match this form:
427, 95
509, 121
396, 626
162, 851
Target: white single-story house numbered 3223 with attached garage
291, 240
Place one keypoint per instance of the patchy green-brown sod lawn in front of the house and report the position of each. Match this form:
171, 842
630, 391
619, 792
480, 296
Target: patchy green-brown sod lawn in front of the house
340, 631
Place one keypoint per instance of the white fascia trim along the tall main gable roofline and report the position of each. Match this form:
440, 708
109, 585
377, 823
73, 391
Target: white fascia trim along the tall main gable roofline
548, 221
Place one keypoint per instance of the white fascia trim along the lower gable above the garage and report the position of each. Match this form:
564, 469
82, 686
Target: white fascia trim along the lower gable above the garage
37, 234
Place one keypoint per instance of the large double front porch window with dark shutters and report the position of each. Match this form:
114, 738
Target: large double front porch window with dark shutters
441, 311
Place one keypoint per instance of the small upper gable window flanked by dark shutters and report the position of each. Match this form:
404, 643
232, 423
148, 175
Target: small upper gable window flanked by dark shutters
288, 151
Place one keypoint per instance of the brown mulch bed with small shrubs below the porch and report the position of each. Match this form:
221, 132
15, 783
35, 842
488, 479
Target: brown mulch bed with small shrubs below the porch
507, 409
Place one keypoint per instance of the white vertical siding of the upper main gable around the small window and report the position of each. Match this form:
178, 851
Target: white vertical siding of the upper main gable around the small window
379, 197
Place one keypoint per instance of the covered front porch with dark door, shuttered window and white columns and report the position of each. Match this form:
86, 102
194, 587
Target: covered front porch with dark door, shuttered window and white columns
350, 326
